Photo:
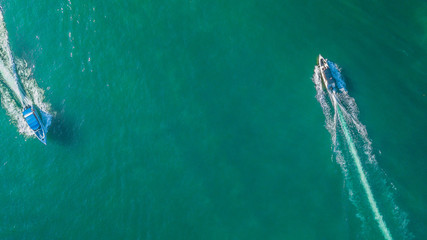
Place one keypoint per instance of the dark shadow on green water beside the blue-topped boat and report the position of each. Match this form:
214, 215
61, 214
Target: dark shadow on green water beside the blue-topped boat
62, 130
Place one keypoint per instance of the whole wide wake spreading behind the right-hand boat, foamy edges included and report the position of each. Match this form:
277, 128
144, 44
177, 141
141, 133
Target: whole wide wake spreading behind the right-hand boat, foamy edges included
368, 187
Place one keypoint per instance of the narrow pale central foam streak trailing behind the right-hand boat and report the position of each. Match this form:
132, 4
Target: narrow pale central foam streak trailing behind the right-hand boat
378, 217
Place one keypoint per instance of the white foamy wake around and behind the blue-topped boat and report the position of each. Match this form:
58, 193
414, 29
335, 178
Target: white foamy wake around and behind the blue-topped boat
15, 95
